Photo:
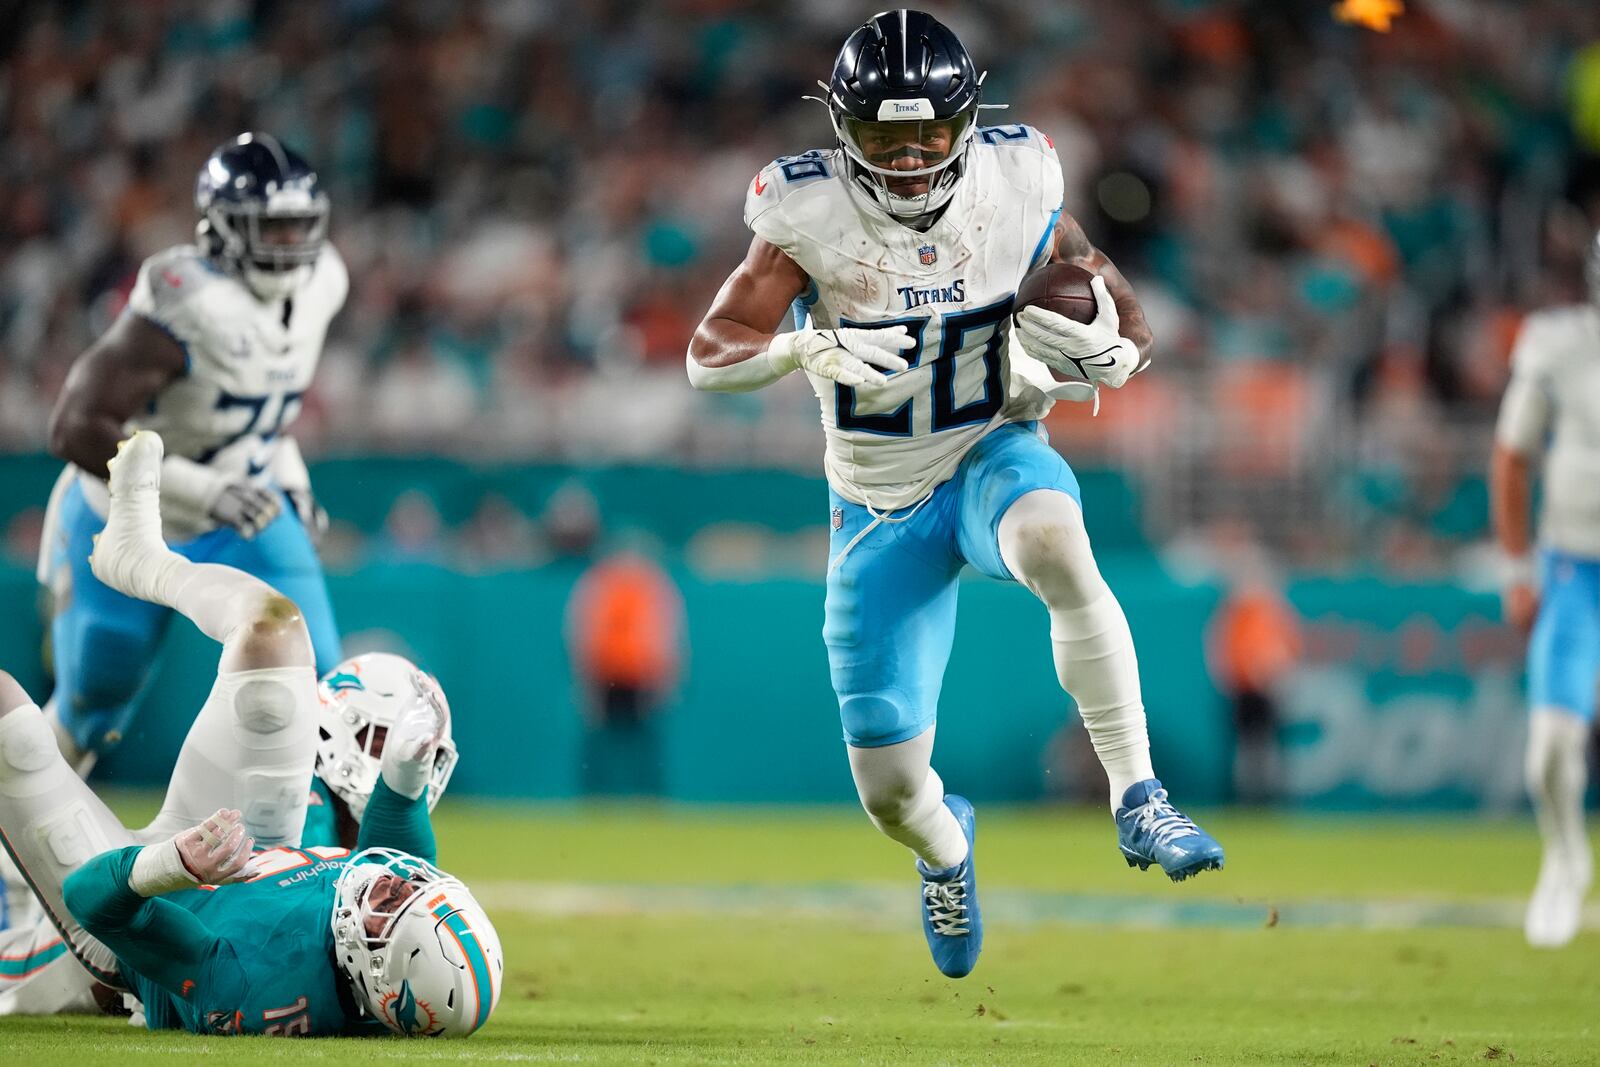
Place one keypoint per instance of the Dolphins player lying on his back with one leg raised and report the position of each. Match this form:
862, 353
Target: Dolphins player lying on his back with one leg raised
209, 937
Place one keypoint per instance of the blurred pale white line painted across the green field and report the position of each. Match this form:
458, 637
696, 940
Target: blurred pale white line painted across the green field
897, 906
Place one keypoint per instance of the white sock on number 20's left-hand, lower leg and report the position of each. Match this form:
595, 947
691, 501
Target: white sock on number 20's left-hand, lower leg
905, 799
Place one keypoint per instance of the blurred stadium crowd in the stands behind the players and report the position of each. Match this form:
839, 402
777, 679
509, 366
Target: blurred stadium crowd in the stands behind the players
1335, 231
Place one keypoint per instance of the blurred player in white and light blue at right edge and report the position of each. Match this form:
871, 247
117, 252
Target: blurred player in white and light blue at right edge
1553, 407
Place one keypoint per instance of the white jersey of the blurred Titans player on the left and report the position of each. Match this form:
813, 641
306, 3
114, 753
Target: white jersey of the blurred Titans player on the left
247, 364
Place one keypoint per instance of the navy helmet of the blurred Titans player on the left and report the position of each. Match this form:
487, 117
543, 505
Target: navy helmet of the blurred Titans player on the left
263, 212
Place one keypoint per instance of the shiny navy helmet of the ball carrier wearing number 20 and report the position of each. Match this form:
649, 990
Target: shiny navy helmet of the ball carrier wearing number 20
905, 108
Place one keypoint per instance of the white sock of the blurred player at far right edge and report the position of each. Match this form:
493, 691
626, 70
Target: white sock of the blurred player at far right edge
1558, 777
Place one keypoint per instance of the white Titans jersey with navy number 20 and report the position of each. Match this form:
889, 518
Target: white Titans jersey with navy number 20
953, 289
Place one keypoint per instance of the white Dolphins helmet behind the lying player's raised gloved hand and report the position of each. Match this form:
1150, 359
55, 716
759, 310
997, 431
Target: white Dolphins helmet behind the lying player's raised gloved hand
362, 700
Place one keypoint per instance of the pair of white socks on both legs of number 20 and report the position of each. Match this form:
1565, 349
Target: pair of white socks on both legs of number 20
1044, 543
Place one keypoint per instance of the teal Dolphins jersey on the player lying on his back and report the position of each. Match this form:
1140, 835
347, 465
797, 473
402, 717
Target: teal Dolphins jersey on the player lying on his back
252, 957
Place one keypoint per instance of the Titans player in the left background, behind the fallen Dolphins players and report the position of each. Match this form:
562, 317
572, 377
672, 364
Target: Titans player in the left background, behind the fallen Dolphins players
217, 348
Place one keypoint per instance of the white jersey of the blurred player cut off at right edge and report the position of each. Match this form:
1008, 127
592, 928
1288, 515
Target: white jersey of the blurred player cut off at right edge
1553, 404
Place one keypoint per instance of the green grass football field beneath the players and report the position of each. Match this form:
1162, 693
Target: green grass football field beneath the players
679, 935
